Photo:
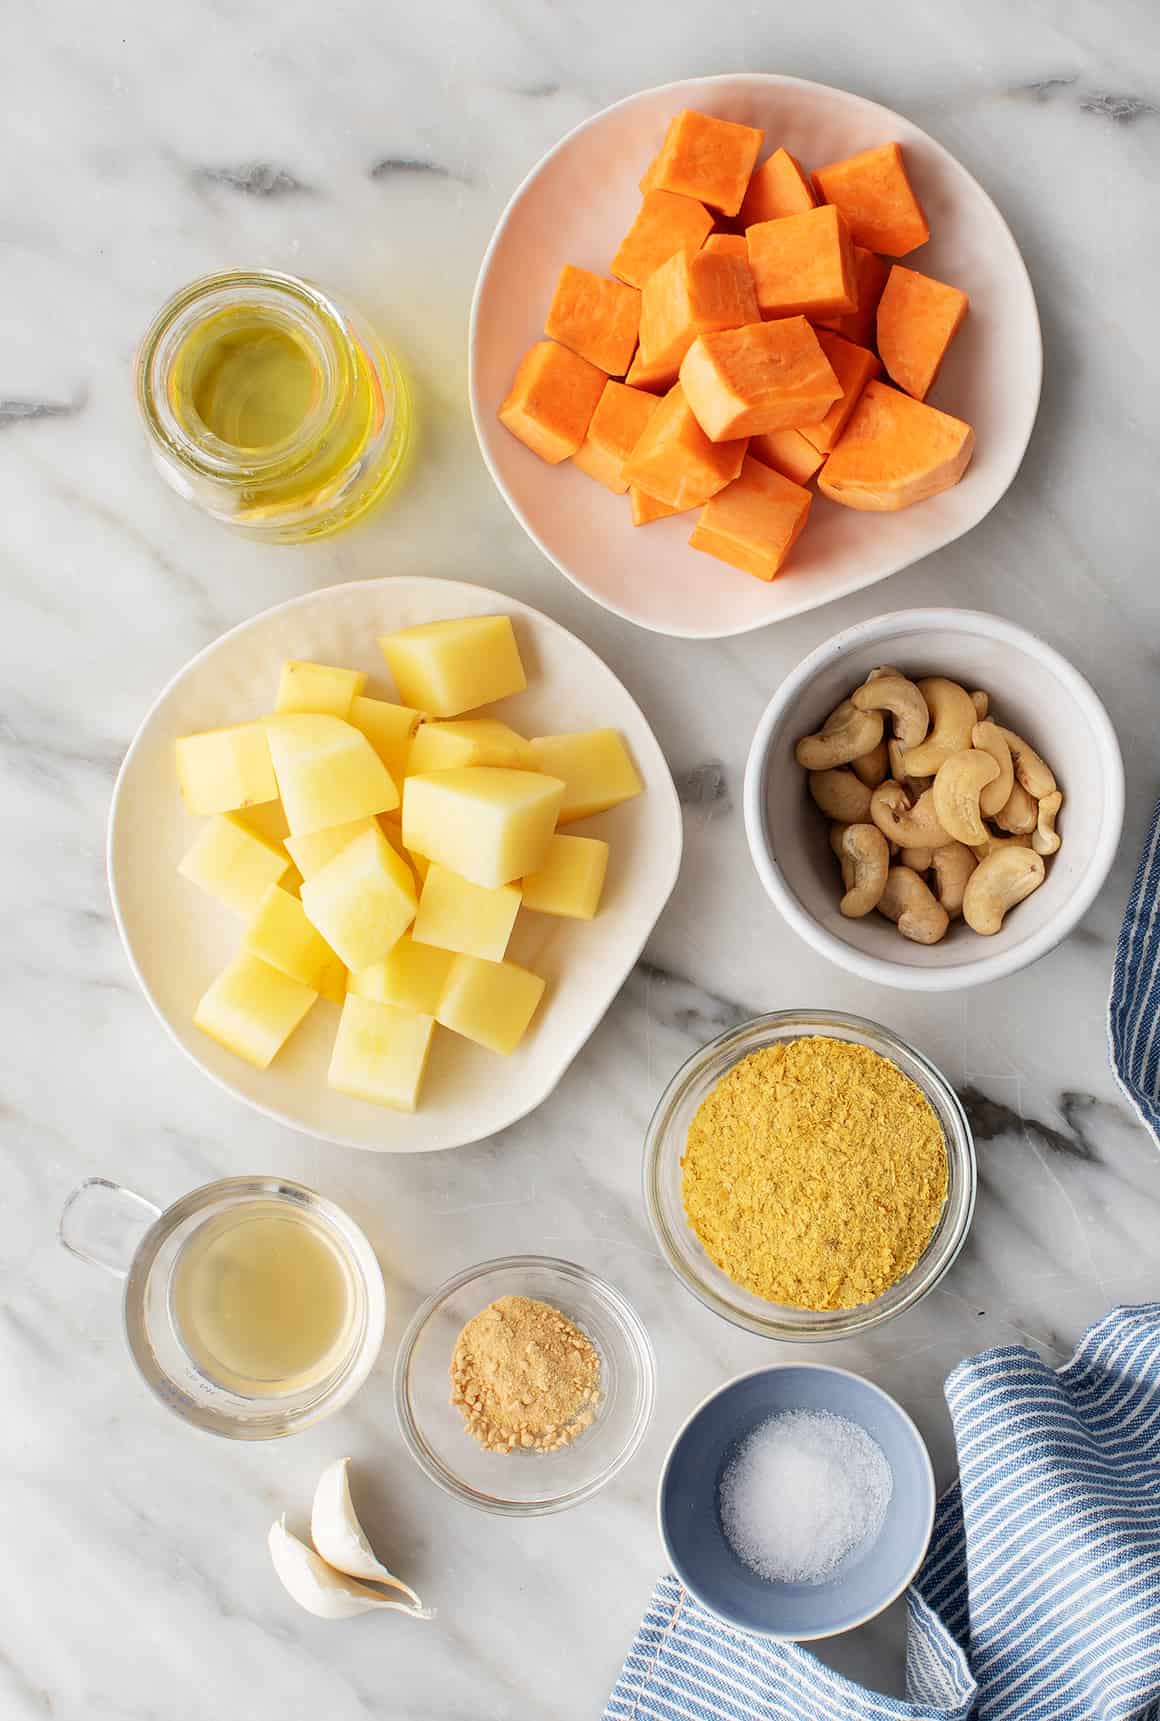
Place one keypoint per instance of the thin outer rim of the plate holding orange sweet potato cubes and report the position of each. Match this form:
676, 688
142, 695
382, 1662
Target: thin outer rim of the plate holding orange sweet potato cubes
772, 80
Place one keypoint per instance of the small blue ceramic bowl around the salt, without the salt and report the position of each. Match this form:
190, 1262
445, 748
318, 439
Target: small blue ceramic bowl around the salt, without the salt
691, 1522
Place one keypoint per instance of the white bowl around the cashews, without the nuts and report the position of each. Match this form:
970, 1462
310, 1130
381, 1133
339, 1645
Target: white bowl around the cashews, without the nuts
1035, 693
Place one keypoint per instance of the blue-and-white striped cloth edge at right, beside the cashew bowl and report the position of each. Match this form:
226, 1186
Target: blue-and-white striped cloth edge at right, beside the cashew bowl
1135, 1004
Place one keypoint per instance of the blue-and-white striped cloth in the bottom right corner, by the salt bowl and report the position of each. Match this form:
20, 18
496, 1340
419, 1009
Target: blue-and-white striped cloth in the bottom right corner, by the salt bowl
1040, 1595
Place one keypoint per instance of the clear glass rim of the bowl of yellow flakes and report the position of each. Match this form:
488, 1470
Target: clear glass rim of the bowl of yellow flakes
705, 1293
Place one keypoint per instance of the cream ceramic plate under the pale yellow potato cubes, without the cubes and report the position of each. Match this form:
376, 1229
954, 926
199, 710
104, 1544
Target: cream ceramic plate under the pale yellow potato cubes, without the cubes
180, 939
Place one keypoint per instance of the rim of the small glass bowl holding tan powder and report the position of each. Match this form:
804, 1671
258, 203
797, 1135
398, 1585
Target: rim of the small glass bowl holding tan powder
639, 1343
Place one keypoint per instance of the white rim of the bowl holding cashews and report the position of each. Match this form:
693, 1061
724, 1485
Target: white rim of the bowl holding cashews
985, 968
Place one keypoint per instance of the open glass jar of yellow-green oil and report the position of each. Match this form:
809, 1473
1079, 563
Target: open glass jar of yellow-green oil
271, 407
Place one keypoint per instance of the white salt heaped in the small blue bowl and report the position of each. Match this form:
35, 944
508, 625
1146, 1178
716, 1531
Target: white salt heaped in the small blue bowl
803, 1491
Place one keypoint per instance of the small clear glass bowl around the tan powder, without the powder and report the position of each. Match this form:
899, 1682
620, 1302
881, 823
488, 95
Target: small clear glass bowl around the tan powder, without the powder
524, 1484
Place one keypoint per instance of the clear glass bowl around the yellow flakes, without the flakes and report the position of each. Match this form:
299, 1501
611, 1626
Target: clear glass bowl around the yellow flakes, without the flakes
665, 1145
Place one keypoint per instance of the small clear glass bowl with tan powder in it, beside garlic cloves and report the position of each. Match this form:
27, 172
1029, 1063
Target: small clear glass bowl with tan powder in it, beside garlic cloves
543, 1476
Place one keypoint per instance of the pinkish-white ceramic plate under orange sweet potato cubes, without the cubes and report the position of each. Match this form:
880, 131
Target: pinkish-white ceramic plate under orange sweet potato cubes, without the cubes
576, 207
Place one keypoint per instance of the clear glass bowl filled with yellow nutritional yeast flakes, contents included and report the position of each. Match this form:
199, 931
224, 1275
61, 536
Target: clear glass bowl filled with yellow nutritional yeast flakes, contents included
810, 1175
